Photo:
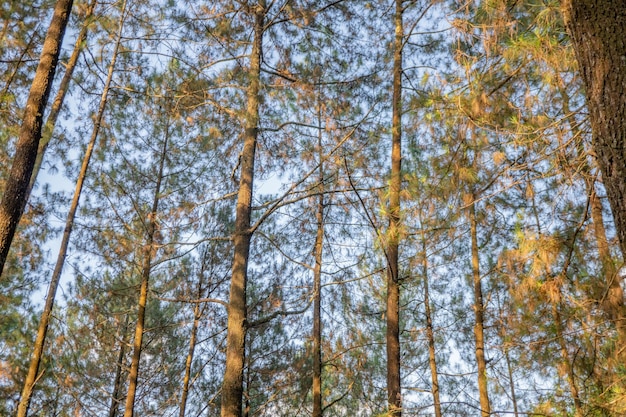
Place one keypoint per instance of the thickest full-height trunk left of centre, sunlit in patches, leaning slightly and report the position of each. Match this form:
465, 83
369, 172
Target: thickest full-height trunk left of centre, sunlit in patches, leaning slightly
232, 388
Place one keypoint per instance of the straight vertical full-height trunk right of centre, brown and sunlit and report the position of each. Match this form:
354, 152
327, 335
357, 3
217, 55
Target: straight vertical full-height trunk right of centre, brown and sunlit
394, 395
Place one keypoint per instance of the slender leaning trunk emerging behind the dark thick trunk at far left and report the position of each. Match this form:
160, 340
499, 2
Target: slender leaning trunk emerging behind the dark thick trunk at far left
55, 109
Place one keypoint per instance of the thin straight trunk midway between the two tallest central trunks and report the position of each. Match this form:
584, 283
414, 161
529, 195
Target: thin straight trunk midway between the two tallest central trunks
317, 282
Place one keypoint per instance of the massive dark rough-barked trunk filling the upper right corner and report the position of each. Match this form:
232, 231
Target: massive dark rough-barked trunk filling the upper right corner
597, 28
